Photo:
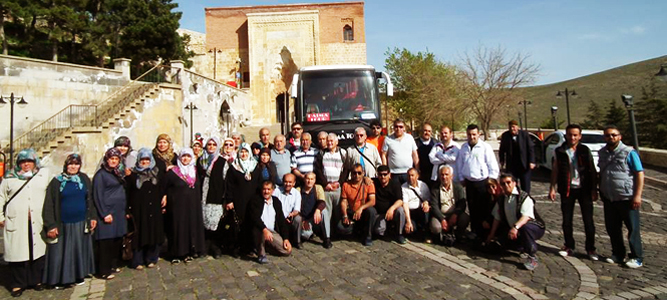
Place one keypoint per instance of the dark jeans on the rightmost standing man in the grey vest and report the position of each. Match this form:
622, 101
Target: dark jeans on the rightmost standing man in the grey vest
616, 214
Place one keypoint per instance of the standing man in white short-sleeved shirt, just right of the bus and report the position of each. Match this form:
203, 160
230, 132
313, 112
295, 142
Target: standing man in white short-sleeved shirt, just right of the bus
399, 152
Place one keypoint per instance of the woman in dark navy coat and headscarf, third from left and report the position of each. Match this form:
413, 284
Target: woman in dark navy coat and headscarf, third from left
110, 200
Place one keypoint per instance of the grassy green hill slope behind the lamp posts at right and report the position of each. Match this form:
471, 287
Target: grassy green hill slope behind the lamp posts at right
599, 87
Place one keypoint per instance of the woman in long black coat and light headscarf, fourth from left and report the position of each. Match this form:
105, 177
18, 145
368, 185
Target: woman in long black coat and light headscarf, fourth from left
145, 202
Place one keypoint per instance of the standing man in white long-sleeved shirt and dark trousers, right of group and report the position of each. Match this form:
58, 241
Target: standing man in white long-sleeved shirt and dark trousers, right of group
475, 163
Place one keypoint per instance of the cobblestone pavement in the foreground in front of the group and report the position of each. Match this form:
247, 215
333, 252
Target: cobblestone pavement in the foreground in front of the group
388, 270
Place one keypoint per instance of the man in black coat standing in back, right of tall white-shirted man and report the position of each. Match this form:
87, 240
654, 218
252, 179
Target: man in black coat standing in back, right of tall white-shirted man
517, 155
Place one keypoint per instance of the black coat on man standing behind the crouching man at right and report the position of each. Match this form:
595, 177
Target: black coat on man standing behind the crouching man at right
526, 150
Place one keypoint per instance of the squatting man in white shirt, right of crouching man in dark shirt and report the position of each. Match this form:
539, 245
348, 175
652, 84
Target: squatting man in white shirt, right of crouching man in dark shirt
416, 196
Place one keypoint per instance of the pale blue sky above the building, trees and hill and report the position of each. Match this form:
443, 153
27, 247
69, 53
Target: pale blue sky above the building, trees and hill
566, 38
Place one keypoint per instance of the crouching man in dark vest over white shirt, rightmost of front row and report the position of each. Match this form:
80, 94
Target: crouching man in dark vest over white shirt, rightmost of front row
516, 211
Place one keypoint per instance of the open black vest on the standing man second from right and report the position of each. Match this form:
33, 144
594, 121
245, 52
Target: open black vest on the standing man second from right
584, 162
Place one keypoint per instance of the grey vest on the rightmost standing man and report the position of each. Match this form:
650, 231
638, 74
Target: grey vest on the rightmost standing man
616, 178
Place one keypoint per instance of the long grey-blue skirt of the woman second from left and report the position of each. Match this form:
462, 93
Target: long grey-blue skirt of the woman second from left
71, 258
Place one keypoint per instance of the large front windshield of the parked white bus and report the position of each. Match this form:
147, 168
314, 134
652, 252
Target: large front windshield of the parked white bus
332, 95
